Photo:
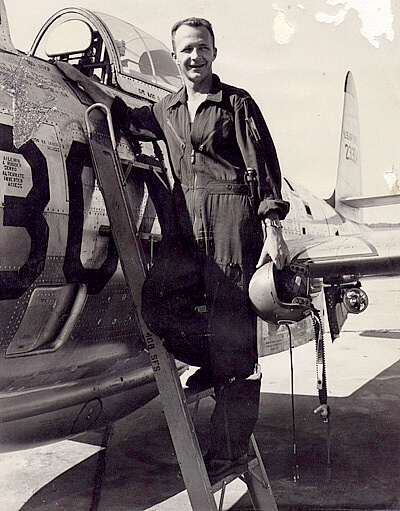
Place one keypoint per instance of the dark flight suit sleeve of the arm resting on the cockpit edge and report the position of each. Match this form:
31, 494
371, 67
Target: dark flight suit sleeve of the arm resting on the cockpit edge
140, 123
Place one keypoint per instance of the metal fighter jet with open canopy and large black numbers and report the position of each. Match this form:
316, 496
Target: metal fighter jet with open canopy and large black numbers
73, 357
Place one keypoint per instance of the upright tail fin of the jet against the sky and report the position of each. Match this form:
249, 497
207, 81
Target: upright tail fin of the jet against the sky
348, 181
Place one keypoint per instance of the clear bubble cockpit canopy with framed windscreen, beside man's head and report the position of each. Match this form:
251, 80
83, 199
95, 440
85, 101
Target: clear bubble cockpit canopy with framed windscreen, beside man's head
112, 51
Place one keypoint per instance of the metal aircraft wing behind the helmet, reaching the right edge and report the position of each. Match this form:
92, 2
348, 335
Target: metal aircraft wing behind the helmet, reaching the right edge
350, 257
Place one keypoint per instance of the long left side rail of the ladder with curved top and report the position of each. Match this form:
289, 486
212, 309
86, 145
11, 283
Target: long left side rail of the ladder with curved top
128, 245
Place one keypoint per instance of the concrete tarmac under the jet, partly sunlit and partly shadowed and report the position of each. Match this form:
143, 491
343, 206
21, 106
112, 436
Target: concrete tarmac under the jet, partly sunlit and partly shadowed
138, 470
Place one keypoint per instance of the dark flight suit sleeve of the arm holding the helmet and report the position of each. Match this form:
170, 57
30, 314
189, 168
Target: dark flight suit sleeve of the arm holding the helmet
258, 152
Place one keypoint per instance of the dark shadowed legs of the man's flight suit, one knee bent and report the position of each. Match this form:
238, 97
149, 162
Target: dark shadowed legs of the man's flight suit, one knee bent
222, 341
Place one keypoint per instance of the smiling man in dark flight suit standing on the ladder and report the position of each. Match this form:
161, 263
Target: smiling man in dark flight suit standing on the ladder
226, 185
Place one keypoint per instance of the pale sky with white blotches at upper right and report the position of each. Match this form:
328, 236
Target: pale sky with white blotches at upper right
292, 58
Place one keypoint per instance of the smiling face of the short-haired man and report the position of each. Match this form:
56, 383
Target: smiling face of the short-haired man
194, 52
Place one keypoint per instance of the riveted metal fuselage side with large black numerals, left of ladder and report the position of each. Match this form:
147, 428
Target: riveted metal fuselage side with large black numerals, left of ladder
70, 346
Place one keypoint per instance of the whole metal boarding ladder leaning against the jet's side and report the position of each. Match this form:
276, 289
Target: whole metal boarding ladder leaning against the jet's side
112, 182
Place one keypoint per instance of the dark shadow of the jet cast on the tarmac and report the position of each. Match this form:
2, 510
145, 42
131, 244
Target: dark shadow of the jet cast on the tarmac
141, 471
